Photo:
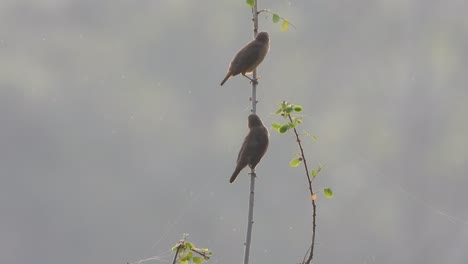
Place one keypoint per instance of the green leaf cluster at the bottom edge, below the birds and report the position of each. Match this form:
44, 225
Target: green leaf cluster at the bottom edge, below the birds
186, 250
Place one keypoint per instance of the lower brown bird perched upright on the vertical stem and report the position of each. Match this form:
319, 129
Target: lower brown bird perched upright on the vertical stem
254, 147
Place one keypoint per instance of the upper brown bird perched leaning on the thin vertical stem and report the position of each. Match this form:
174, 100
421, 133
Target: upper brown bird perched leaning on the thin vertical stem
249, 57
